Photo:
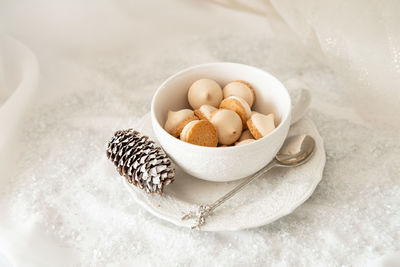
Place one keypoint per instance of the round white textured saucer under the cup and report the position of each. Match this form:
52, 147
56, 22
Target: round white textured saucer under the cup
267, 199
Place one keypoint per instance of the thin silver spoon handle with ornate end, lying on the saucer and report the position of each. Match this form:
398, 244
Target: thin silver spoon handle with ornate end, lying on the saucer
205, 210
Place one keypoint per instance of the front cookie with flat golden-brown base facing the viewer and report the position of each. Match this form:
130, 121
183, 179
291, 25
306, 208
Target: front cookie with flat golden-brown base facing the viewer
200, 132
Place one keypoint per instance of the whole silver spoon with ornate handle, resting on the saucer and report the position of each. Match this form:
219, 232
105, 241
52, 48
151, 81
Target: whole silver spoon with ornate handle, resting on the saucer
295, 151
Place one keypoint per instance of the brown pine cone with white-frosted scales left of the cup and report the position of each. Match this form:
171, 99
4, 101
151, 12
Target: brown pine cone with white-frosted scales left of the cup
140, 161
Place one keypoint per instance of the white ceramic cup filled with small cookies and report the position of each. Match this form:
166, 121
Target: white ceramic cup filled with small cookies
222, 164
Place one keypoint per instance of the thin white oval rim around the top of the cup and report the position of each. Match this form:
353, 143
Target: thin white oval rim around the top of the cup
192, 146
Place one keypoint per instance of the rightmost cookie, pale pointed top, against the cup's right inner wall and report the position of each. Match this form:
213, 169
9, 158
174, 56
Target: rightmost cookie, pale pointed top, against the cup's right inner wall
260, 125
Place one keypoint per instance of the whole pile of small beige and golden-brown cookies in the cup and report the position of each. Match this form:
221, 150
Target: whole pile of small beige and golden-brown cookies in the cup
220, 117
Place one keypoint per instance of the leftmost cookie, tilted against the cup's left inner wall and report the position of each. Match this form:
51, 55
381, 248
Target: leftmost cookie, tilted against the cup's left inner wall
176, 120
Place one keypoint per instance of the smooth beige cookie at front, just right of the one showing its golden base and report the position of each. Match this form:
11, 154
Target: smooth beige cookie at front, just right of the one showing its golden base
228, 125
